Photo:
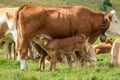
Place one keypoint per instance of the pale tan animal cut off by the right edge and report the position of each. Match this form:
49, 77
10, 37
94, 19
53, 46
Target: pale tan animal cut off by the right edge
115, 52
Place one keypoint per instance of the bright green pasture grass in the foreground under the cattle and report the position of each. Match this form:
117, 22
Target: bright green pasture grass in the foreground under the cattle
103, 70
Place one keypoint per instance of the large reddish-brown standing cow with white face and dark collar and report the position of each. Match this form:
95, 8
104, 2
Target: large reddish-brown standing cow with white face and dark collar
59, 22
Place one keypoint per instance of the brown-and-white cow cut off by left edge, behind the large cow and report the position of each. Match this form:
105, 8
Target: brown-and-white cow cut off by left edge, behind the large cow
8, 31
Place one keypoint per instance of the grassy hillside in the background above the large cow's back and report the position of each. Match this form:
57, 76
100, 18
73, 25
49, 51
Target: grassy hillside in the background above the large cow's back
92, 4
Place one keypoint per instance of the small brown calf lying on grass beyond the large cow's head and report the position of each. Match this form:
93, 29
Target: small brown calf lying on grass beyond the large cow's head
104, 47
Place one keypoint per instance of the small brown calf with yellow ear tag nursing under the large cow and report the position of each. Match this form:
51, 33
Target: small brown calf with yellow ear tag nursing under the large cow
59, 49
